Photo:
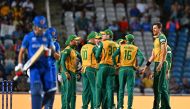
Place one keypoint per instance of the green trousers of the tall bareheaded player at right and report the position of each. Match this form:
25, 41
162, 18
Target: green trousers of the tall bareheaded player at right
160, 87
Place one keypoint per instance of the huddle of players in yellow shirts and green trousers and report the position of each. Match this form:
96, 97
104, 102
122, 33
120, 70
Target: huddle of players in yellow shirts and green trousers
101, 57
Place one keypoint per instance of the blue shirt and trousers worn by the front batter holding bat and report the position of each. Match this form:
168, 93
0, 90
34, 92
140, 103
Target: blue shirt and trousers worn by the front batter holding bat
41, 78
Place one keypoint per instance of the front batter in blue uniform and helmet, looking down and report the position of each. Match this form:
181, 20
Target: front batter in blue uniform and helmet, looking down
41, 79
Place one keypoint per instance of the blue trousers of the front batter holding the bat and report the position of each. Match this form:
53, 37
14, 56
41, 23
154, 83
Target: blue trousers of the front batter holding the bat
41, 80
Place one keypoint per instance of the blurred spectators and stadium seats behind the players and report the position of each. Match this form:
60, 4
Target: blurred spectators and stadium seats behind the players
83, 16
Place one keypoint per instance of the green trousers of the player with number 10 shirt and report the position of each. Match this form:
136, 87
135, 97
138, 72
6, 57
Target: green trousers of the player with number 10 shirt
88, 84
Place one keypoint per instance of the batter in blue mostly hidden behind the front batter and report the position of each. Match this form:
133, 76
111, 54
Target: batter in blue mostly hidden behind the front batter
53, 34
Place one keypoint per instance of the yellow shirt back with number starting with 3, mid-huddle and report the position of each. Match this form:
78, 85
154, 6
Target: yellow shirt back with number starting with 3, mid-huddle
109, 47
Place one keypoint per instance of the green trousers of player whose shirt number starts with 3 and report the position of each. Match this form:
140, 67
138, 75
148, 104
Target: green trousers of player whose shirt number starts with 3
104, 83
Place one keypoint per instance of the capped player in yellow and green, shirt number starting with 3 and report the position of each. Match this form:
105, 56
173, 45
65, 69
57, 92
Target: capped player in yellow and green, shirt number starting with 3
105, 74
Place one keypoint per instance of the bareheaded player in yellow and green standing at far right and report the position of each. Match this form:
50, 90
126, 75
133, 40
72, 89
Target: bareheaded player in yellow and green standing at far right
158, 56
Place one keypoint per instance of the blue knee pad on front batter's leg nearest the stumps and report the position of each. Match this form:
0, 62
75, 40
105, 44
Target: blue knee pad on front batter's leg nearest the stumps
36, 88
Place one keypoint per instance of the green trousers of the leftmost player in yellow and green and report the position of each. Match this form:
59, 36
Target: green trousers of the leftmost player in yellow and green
68, 91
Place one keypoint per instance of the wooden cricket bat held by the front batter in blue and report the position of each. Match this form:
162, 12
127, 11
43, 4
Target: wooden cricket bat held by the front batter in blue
31, 61
